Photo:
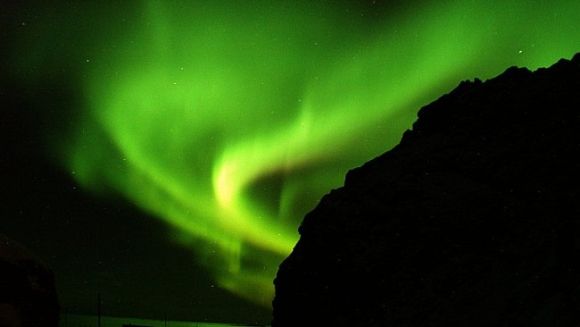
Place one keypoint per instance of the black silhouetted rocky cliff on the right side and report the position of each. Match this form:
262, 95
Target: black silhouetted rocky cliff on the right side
472, 220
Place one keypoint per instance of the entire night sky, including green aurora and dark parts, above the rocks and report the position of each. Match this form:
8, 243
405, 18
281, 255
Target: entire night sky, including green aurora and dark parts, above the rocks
163, 153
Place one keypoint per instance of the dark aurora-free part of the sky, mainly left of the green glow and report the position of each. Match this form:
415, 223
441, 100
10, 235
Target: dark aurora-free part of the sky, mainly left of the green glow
94, 244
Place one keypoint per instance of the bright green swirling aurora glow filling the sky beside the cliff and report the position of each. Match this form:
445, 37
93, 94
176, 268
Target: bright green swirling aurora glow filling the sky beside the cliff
230, 120
